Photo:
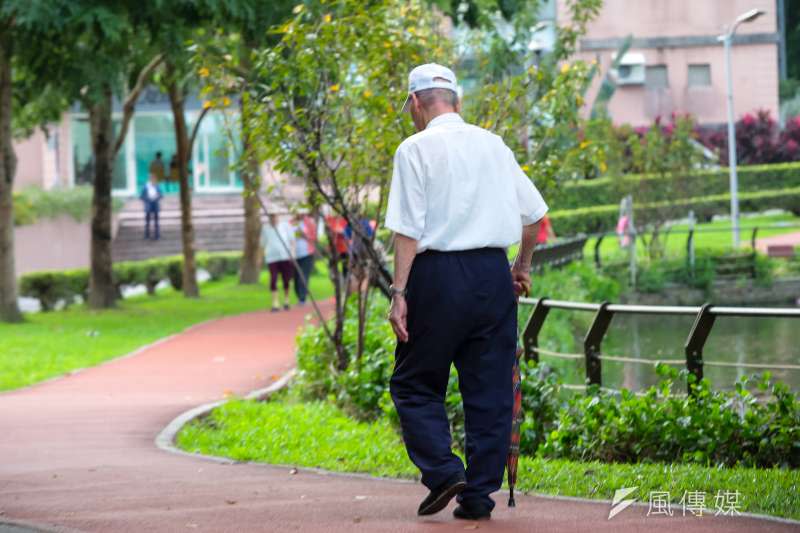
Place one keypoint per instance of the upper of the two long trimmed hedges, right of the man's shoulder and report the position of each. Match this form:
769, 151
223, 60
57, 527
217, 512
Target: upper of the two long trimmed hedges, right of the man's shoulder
609, 190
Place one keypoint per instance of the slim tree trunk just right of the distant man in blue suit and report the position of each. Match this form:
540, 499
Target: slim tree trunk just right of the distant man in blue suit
176, 99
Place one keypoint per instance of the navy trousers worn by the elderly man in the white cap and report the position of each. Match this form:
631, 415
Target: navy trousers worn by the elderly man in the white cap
461, 310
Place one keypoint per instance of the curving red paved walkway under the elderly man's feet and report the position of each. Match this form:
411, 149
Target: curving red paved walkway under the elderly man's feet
78, 453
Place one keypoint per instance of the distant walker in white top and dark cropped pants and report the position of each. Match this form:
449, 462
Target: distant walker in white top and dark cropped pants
278, 243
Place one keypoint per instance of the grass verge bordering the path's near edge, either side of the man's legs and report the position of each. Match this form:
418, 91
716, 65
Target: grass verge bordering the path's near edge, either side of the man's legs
320, 435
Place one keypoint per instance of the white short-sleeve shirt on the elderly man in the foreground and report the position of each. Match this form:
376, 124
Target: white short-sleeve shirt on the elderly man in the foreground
456, 186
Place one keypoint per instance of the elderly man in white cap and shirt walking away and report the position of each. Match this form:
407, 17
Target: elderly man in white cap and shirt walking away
458, 198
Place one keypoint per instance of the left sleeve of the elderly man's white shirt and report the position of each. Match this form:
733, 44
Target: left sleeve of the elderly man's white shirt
405, 213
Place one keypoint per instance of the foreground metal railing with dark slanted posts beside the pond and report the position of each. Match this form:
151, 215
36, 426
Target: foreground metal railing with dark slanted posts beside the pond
705, 316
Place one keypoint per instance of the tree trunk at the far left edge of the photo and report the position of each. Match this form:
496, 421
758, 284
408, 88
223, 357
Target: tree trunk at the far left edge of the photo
9, 310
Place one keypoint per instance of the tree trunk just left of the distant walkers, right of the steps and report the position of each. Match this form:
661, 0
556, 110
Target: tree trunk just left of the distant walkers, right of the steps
251, 255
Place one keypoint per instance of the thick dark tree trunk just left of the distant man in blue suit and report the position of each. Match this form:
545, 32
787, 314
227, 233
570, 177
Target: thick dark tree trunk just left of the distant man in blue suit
102, 293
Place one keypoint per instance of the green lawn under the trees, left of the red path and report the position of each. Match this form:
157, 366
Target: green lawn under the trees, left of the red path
51, 344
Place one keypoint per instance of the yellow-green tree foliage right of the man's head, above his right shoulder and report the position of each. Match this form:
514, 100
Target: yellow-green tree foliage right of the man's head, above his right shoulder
535, 103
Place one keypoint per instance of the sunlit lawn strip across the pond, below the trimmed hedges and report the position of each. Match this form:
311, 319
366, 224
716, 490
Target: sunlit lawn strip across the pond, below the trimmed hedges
718, 241
